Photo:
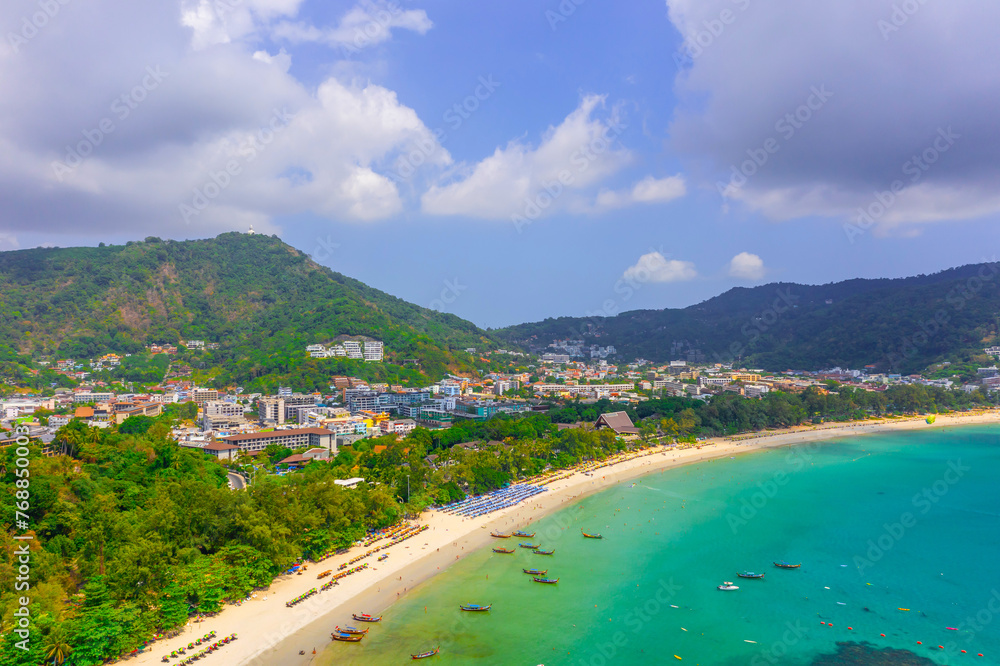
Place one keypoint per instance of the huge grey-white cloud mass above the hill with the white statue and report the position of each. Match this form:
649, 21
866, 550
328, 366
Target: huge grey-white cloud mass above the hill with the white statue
160, 126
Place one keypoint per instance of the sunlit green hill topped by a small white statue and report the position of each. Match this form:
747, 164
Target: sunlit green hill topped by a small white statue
261, 299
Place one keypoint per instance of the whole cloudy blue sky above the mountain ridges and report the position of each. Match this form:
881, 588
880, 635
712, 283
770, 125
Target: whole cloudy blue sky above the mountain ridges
513, 161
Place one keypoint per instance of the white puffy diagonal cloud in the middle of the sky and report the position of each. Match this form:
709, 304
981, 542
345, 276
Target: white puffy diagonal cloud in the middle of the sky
578, 153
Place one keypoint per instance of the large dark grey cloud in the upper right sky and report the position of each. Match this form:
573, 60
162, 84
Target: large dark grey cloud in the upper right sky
902, 106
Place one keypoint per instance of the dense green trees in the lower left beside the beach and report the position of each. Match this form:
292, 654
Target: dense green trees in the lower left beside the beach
149, 532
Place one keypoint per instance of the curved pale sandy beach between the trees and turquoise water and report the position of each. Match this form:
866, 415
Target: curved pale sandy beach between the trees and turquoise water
269, 633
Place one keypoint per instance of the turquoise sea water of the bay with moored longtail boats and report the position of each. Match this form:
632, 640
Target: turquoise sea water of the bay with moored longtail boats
879, 523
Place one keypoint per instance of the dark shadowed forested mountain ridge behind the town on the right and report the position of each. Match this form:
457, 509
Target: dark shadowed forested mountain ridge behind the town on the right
896, 324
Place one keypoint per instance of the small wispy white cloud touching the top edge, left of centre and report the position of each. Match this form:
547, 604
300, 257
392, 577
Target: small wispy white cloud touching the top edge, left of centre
367, 24
